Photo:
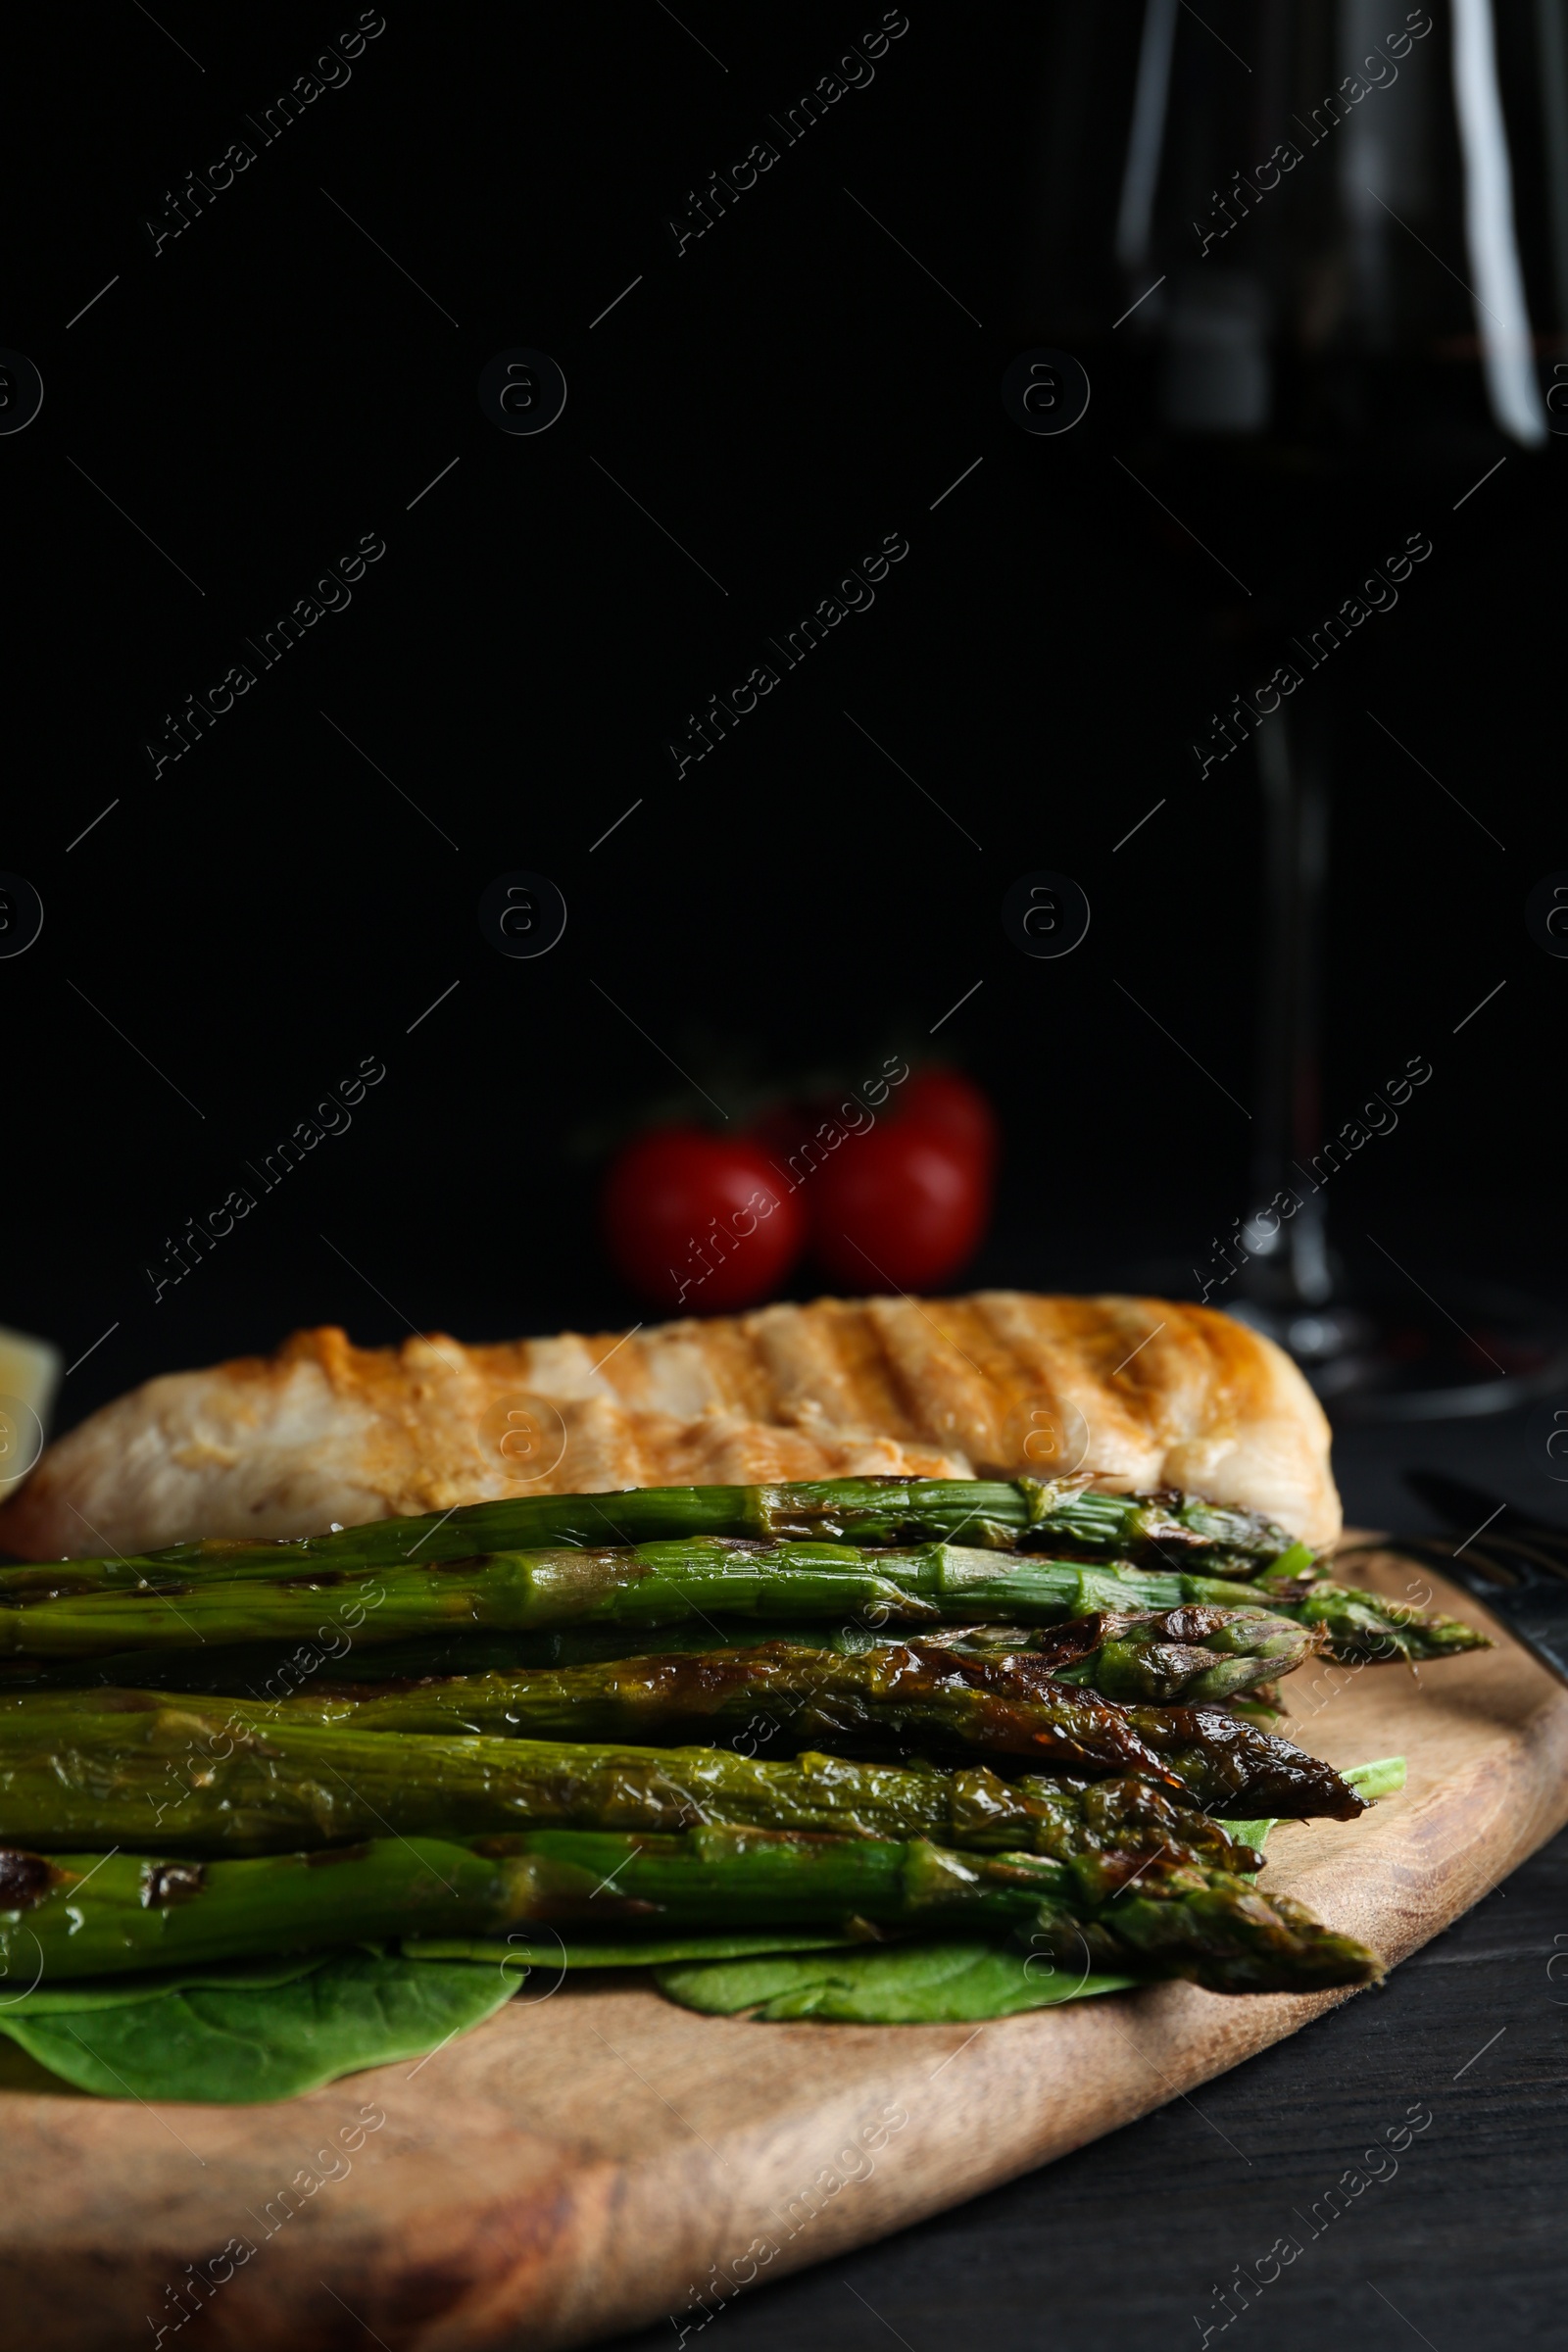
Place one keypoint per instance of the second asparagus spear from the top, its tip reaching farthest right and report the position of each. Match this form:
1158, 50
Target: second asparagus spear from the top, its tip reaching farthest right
669, 1584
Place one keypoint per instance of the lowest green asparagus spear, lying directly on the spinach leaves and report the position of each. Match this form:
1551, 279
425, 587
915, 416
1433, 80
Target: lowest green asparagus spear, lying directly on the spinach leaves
93, 1916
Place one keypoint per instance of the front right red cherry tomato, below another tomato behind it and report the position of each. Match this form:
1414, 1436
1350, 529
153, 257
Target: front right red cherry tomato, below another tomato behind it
899, 1208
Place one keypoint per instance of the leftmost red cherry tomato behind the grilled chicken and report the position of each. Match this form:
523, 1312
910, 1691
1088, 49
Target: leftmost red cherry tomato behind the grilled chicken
702, 1222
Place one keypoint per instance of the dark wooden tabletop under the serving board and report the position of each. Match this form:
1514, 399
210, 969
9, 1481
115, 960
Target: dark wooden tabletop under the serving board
1123, 2247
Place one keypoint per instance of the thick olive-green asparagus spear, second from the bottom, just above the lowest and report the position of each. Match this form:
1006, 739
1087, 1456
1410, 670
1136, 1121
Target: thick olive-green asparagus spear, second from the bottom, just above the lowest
236, 1782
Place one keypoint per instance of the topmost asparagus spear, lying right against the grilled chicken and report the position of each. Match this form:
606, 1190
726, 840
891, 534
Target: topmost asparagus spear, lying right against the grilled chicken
991, 1514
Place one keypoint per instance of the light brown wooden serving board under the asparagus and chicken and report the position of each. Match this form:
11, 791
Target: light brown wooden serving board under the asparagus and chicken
582, 2165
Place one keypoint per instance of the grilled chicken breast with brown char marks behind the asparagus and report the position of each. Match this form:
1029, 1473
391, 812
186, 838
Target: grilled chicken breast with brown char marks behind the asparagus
1137, 1391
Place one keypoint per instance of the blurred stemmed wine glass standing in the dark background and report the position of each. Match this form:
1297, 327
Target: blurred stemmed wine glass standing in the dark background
1289, 239
